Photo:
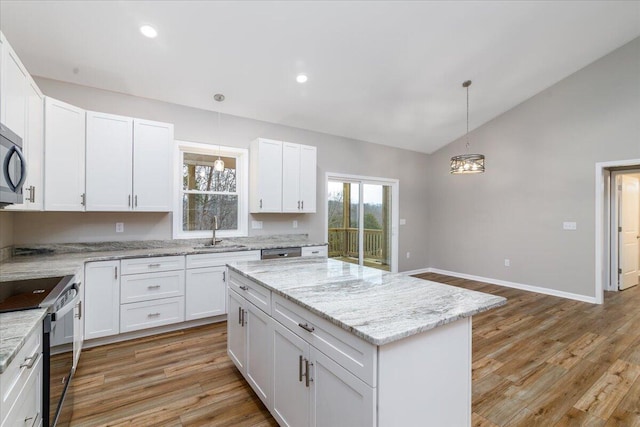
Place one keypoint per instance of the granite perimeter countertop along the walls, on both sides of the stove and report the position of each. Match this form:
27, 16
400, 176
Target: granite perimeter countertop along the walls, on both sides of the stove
68, 259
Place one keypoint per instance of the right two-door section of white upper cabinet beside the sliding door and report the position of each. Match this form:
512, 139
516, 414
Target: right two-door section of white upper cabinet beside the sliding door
298, 178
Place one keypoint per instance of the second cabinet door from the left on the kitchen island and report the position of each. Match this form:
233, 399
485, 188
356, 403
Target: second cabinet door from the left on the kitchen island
258, 359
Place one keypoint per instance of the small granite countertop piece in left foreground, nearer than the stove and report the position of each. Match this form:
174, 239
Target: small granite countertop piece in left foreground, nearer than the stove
15, 327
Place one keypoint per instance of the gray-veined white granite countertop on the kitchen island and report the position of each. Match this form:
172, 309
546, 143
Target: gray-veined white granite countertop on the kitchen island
376, 306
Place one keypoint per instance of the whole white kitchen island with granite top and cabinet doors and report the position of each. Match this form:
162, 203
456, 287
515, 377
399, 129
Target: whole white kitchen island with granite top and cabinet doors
327, 343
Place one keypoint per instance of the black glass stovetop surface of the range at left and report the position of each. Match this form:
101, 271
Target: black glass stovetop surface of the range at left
25, 294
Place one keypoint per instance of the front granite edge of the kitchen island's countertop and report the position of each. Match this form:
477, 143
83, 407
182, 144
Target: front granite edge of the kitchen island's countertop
378, 341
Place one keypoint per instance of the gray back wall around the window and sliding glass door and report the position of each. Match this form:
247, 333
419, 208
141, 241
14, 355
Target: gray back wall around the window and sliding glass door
335, 154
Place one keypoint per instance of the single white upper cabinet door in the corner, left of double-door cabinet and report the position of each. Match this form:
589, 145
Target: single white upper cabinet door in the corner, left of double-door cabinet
64, 138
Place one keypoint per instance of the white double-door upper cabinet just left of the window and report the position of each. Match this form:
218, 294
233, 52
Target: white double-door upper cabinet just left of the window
129, 164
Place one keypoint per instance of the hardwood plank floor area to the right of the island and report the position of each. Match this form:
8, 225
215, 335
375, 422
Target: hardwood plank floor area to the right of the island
547, 361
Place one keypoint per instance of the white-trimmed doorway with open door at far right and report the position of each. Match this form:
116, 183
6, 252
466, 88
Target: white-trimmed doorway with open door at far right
611, 205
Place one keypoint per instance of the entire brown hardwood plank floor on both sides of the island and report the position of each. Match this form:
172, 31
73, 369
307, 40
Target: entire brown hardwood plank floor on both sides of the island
538, 361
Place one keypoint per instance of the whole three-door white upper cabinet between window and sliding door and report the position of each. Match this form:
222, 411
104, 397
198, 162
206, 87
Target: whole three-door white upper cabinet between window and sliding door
283, 177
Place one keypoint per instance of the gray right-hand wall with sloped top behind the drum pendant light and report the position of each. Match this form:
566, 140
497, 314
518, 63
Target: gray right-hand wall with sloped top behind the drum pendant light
540, 159
